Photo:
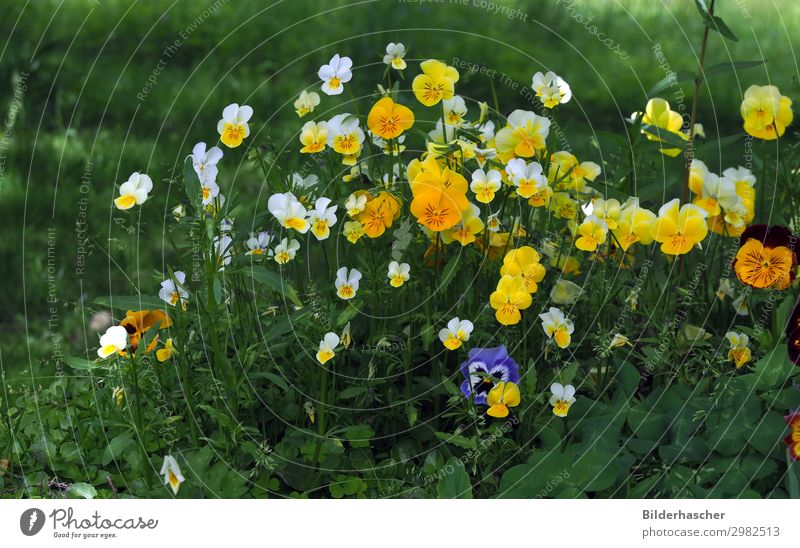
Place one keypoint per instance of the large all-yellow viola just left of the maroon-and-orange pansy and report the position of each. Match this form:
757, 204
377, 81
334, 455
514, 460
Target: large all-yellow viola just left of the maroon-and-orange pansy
679, 228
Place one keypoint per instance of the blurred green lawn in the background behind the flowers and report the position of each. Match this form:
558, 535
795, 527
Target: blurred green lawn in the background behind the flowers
85, 62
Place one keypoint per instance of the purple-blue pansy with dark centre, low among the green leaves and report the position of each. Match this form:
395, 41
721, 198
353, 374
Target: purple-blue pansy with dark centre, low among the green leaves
484, 368
